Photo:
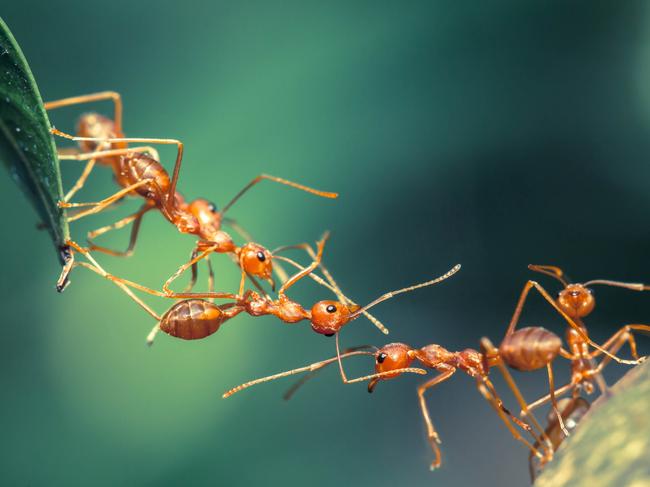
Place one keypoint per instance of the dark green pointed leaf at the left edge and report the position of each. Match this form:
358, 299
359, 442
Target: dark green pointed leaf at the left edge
26, 145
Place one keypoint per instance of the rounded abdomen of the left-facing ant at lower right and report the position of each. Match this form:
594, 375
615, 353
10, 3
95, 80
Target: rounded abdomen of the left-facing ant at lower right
530, 348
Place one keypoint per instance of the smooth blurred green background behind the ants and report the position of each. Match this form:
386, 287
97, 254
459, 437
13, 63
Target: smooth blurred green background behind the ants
496, 135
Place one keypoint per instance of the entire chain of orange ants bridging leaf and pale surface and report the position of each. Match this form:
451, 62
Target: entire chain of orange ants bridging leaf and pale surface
139, 173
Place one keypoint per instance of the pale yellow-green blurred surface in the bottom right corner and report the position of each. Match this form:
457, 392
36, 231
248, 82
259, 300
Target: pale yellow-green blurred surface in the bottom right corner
612, 442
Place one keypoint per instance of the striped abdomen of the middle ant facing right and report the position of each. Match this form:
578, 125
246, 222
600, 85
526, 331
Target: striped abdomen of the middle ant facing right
193, 319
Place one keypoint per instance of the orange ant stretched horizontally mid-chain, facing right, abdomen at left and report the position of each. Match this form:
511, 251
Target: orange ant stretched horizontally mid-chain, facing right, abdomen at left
196, 318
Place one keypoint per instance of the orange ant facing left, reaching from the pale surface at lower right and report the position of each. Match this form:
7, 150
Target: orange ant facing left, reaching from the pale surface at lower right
394, 359
